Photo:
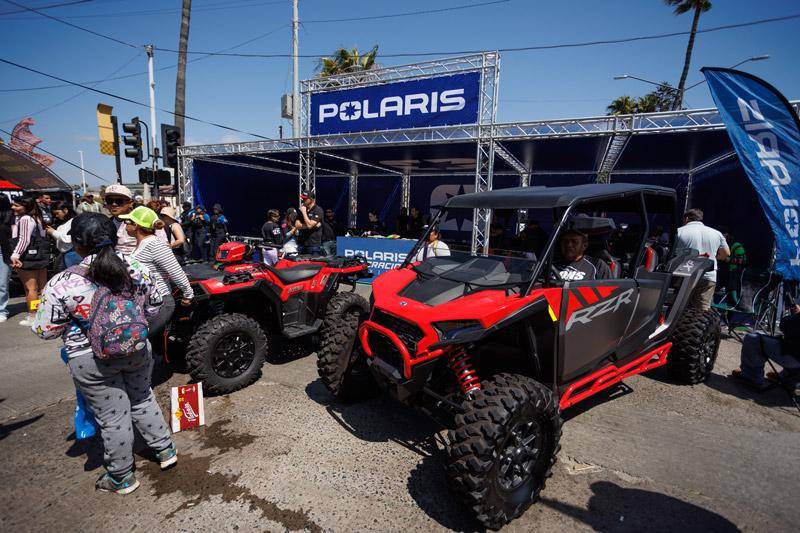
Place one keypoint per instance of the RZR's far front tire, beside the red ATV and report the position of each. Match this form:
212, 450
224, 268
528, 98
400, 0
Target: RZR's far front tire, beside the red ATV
341, 363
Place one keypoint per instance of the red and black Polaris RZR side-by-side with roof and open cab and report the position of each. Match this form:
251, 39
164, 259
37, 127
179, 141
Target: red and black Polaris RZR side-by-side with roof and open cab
501, 341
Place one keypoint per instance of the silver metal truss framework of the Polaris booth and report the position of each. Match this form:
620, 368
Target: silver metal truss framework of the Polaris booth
487, 135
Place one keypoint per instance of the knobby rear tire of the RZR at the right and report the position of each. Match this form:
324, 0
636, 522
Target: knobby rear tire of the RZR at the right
694, 346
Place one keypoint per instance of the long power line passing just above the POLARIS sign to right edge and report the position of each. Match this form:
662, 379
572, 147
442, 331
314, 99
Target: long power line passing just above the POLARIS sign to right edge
520, 48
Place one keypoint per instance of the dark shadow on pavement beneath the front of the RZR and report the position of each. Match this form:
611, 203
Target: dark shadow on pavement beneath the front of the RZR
382, 419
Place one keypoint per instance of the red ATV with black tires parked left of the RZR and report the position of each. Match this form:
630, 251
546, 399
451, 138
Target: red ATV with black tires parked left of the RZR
238, 303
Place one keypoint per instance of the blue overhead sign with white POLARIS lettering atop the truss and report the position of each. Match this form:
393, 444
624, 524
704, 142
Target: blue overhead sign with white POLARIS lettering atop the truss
440, 101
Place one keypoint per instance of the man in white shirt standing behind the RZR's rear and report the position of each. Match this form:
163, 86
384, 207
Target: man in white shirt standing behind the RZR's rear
710, 243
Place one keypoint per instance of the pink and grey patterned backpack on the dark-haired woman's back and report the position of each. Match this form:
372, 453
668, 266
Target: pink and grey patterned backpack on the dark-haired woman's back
117, 326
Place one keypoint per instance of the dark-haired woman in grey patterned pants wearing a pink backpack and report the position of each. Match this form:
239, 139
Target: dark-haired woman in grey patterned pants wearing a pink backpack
100, 308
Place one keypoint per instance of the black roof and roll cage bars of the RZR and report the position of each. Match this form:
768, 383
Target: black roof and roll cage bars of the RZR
564, 201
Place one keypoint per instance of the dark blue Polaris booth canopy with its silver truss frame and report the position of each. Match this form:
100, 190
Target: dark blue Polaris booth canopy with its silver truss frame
423, 166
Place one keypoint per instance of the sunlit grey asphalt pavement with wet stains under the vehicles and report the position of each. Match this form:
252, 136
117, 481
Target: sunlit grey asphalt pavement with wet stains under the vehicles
282, 455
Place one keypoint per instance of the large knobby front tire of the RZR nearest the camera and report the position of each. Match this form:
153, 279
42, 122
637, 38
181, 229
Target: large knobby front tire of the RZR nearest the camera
512, 425
